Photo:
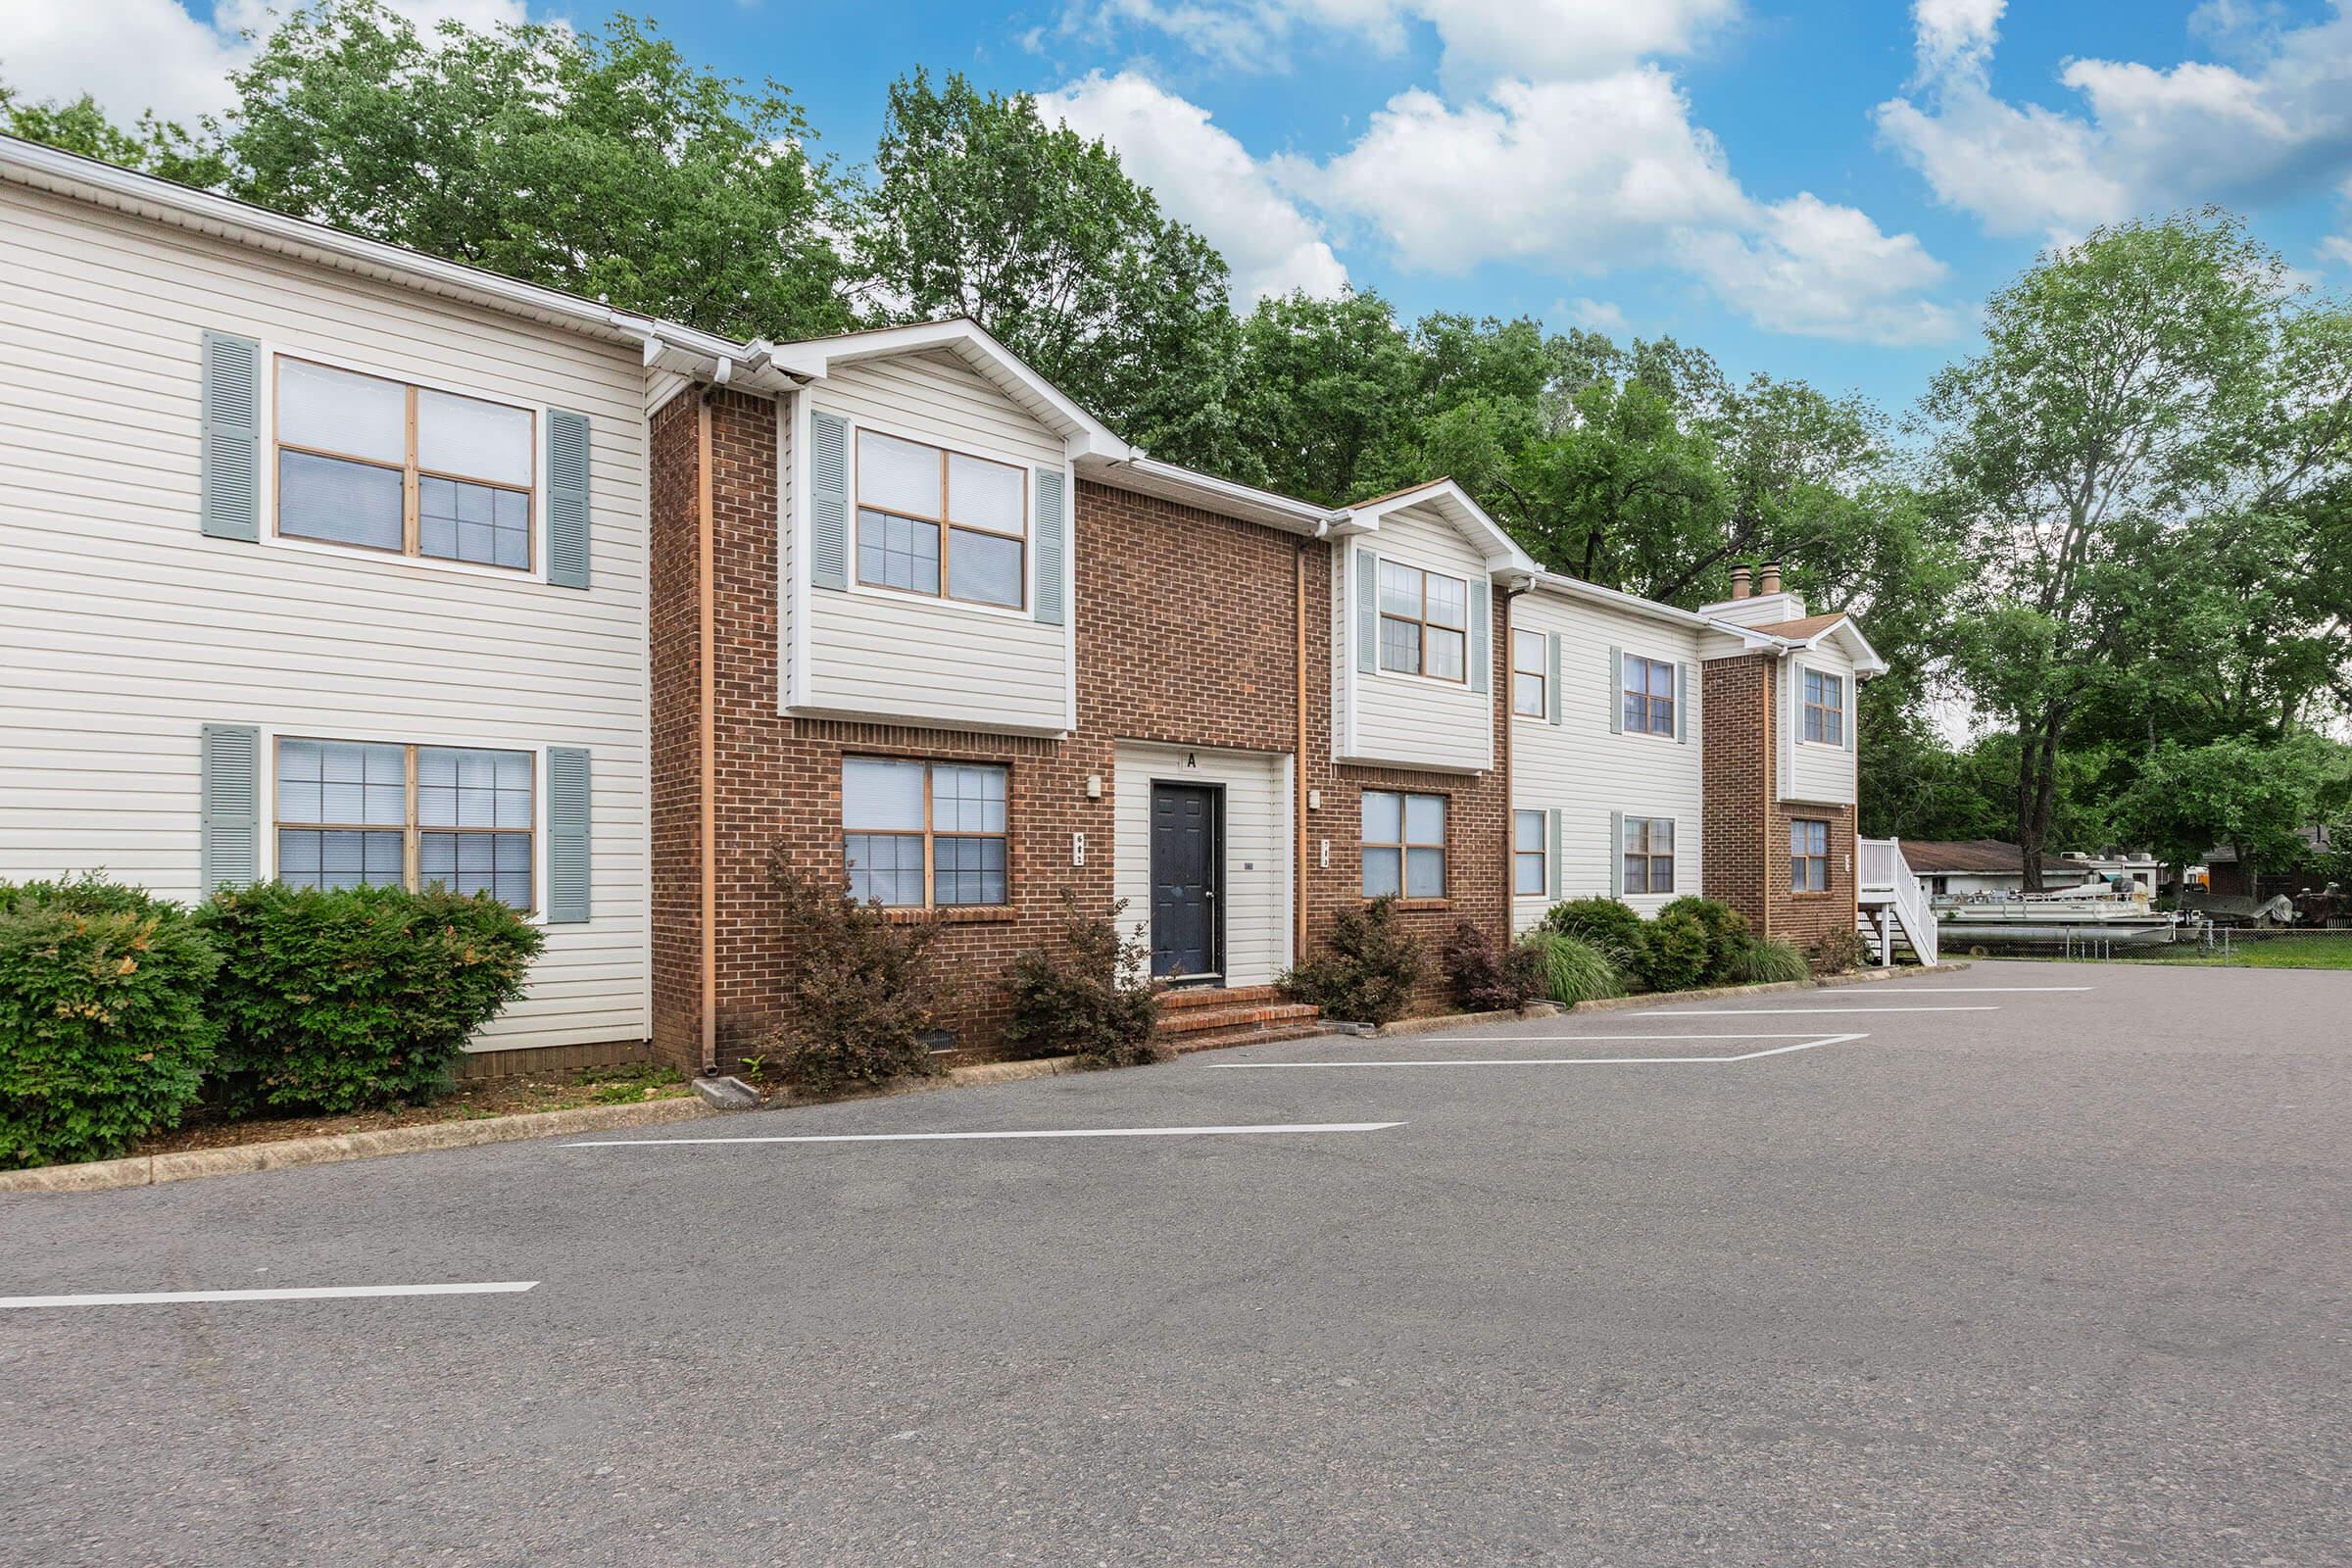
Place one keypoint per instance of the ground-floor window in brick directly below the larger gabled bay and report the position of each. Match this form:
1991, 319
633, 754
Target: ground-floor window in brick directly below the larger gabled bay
923, 833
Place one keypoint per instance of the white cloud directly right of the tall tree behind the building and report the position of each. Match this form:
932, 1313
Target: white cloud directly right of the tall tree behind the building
1203, 180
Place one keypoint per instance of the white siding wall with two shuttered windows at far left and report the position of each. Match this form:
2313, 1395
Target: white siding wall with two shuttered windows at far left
126, 631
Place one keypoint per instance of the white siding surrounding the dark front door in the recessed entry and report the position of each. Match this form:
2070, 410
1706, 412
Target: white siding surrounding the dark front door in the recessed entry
1257, 880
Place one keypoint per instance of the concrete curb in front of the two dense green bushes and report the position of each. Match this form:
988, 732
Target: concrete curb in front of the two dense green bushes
152, 1170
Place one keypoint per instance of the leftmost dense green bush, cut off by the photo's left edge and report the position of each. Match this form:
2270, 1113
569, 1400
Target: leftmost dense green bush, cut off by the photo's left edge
102, 1019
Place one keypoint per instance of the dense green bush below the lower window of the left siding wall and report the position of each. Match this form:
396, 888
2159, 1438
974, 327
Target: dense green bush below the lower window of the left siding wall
356, 998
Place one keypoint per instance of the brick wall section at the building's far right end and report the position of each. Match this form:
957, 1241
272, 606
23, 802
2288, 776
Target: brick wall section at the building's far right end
1749, 829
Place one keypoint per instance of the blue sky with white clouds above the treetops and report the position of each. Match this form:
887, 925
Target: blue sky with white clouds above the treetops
1822, 189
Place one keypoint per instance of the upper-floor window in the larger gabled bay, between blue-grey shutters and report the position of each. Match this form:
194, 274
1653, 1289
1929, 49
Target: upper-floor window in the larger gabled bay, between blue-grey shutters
942, 523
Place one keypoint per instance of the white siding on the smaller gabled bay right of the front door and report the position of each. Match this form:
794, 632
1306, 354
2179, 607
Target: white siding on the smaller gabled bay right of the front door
1415, 721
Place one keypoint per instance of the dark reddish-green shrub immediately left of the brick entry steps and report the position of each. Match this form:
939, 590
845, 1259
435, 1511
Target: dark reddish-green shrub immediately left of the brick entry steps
1085, 993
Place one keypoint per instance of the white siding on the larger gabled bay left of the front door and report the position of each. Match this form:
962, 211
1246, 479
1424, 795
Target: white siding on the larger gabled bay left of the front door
893, 655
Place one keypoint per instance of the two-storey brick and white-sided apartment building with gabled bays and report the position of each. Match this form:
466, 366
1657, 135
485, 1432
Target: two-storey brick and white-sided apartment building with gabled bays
335, 563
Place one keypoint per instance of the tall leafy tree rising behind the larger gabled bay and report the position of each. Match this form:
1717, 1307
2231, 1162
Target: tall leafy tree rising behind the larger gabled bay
980, 208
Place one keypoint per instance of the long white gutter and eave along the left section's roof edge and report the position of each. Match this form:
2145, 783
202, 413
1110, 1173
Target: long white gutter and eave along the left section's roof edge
102, 185
